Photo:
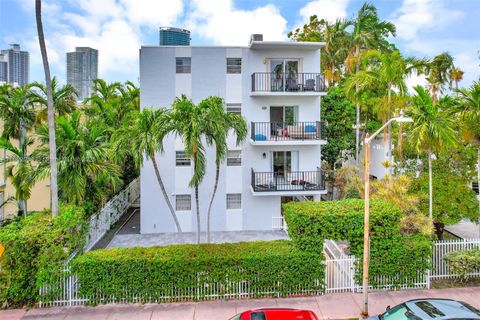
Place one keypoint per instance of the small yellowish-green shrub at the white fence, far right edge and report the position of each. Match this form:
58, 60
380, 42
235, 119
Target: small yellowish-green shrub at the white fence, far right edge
463, 263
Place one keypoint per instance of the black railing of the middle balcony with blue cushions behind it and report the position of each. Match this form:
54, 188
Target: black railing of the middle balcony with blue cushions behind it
283, 131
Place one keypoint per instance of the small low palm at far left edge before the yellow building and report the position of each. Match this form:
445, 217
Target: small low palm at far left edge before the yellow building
20, 170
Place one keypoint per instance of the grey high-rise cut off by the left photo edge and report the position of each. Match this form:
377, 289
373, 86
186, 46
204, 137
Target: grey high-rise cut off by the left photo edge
17, 65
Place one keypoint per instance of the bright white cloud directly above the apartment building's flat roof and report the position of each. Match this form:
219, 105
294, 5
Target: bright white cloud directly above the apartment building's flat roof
221, 23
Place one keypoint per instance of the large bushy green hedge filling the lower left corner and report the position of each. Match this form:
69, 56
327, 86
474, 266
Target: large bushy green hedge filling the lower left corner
35, 248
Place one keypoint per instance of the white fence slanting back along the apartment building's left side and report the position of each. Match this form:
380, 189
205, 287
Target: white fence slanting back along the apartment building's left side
103, 220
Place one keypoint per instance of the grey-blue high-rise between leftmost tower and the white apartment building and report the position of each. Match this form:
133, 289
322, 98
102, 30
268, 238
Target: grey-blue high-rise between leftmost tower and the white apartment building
82, 69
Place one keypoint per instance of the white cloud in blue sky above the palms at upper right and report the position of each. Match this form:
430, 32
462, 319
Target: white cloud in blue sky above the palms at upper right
415, 16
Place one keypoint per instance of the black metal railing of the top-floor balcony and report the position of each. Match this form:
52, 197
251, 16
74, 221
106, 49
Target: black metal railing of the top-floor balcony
288, 82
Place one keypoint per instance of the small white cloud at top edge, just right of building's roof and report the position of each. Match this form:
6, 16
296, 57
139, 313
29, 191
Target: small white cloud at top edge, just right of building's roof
327, 9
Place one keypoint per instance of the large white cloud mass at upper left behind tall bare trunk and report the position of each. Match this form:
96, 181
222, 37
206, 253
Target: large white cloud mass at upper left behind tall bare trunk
111, 26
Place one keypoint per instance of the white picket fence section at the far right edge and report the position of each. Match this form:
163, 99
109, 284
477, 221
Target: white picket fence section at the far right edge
441, 267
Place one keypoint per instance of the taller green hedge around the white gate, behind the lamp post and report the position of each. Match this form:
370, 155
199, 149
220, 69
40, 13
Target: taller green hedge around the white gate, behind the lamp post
391, 253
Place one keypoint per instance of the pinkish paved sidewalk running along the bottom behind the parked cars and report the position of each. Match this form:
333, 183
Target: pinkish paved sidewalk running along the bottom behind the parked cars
330, 306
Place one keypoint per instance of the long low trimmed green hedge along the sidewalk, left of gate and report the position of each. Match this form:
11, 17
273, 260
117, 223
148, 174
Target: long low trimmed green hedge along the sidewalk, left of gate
193, 271
